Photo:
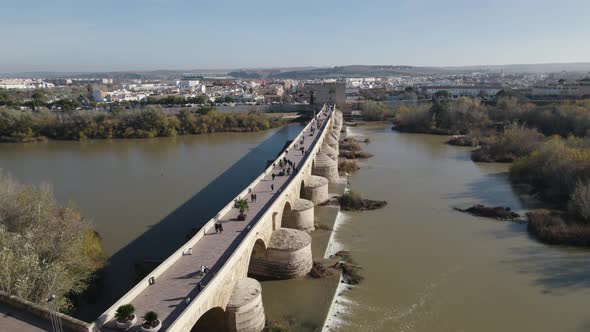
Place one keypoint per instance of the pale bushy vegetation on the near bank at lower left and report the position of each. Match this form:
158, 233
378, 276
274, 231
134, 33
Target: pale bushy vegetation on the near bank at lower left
45, 248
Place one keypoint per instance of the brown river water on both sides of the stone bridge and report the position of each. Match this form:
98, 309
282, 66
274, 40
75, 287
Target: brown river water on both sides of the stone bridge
426, 267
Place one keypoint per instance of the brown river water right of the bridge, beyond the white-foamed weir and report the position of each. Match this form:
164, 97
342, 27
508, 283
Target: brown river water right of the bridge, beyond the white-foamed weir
429, 268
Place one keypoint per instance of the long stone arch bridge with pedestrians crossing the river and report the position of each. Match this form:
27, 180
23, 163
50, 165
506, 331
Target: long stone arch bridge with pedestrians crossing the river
272, 242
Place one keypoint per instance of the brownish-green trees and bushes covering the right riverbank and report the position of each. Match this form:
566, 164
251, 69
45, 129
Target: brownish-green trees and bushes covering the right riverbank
549, 145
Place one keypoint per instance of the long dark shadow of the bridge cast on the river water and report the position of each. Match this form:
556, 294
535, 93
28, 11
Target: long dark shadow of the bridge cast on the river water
160, 240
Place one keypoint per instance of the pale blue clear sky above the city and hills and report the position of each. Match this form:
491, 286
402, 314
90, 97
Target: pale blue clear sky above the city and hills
85, 35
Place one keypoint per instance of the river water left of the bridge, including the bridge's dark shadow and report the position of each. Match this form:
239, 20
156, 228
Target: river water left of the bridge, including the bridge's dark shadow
144, 196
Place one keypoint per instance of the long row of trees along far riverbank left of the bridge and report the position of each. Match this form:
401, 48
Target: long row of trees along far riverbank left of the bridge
146, 123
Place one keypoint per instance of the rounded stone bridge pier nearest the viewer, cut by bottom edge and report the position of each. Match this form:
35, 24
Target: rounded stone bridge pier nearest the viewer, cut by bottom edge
245, 312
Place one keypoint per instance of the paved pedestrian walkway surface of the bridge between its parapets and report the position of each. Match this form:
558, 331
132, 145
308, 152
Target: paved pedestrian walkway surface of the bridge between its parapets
167, 296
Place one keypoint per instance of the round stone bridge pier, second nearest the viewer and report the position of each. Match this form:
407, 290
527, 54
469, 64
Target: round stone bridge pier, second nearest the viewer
288, 256
